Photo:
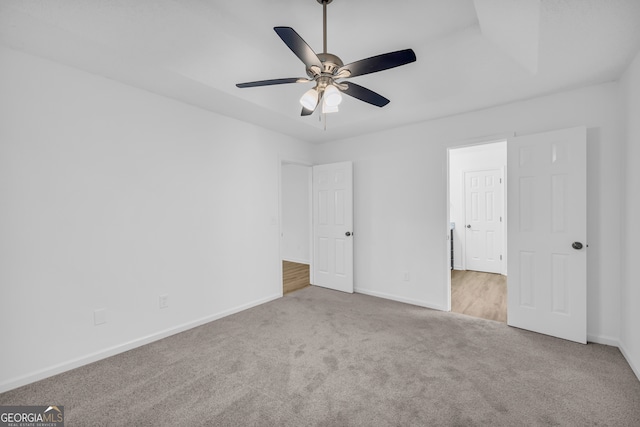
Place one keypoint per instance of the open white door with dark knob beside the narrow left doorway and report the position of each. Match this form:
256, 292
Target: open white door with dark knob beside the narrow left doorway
333, 226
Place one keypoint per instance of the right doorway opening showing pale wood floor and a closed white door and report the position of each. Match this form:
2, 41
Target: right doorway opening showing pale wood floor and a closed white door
477, 214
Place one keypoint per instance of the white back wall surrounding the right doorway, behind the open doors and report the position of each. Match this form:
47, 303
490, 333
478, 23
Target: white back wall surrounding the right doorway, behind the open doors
400, 197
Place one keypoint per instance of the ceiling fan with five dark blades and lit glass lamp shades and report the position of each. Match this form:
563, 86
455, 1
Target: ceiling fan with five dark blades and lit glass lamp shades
328, 72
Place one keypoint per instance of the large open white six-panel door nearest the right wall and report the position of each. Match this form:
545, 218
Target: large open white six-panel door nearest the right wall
547, 230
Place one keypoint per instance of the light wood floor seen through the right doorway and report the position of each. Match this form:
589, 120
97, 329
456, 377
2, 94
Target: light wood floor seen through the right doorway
479, 294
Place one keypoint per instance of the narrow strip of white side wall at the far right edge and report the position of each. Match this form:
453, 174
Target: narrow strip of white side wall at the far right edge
630, 321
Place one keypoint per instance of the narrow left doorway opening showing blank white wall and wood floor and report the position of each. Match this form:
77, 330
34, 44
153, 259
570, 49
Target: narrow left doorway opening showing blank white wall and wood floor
295, 225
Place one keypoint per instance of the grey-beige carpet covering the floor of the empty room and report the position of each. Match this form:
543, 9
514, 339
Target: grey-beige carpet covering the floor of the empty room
320, 357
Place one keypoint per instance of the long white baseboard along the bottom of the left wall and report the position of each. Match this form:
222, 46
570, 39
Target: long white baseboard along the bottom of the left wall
121, 348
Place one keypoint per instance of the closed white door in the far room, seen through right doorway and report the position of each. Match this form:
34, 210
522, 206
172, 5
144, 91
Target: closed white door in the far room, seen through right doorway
484, 220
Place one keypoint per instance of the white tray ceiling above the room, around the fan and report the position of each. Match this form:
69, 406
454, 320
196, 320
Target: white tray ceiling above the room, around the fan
470, 54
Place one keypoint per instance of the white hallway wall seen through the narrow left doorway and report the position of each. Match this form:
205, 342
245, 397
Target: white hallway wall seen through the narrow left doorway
296, 213
